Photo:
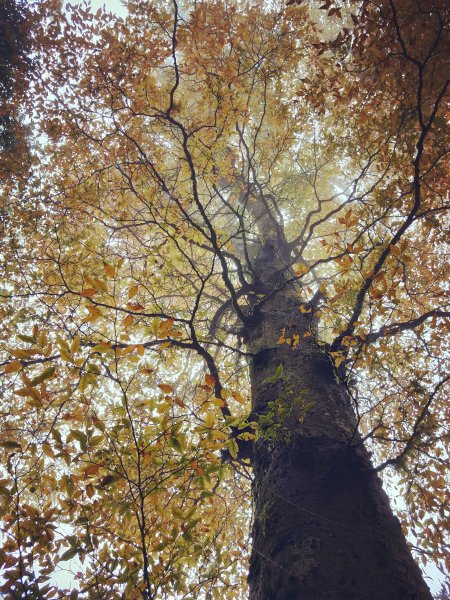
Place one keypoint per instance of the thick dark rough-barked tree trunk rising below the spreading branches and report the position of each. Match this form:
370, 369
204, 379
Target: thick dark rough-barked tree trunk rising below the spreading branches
323, 528
